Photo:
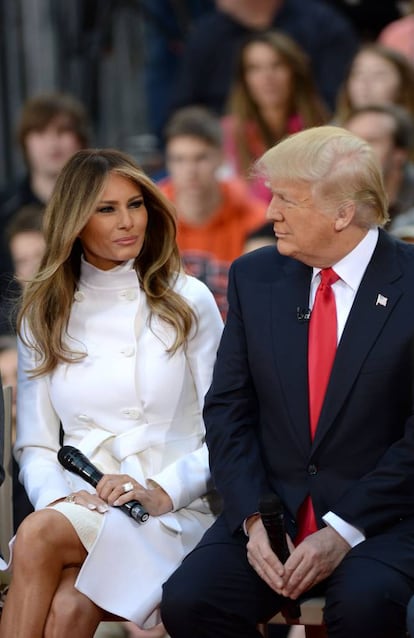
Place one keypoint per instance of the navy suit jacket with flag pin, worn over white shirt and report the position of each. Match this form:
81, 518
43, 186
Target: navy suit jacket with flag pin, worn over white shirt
361, 462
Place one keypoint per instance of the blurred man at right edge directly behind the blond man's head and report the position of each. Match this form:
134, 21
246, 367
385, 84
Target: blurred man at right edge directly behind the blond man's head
389, 130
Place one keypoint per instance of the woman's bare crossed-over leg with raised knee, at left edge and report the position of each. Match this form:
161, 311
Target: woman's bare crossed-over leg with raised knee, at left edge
45, 544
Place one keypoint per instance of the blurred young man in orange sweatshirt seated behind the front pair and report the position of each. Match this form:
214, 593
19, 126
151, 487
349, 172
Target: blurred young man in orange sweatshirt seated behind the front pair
215, 215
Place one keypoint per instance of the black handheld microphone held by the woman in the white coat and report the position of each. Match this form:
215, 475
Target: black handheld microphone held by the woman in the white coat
76, 462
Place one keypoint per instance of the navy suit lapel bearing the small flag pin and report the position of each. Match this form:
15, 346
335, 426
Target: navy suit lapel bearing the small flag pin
376, 298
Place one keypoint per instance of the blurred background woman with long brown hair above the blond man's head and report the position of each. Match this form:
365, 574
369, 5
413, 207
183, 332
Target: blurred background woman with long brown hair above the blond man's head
273, 95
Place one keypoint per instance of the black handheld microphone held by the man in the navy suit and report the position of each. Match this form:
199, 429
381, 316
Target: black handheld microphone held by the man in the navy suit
271, 512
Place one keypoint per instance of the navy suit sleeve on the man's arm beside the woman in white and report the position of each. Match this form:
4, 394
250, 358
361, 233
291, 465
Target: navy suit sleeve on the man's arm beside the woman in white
231, 416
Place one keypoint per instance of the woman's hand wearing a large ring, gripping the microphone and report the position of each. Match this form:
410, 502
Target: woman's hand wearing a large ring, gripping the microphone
117, 489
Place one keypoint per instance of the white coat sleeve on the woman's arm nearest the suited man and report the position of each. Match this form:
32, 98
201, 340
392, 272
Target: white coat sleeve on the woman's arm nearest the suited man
188, 477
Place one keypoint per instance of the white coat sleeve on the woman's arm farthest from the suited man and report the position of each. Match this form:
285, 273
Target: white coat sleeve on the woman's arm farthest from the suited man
37, 438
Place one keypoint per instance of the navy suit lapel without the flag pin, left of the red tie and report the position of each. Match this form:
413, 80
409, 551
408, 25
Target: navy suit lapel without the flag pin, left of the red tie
290, 336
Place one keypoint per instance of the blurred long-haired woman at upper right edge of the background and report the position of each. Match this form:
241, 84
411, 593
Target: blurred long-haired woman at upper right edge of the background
378, 75
